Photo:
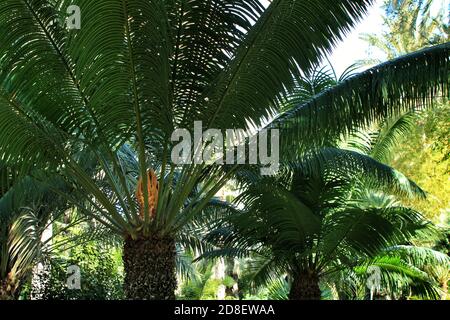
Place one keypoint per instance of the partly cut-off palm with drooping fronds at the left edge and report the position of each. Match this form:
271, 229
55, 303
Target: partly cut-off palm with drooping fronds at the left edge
27, 209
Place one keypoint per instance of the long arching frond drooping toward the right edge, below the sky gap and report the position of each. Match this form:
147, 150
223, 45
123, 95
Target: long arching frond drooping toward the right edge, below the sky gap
385, 90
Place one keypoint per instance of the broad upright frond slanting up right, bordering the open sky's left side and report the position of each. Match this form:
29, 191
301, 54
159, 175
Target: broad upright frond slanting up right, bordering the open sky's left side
276, 48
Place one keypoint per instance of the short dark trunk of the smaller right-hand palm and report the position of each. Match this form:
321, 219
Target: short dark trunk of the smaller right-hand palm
305, 287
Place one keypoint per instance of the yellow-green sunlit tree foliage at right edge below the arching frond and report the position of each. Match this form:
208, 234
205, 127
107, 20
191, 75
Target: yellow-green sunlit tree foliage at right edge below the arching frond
424, 156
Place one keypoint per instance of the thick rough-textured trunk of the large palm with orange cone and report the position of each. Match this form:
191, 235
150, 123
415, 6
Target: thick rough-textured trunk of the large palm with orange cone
150, 269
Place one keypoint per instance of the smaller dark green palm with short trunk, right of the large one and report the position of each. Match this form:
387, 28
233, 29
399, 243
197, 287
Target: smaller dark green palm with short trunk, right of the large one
309, 222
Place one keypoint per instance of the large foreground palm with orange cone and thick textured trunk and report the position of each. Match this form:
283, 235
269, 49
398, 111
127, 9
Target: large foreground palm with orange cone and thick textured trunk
136, 71
